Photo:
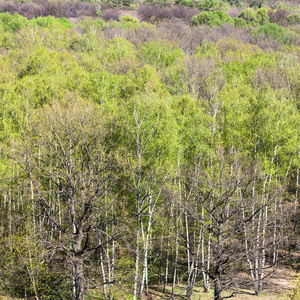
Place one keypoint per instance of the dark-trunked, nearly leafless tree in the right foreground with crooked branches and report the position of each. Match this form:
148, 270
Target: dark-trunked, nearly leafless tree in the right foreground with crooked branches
216, 187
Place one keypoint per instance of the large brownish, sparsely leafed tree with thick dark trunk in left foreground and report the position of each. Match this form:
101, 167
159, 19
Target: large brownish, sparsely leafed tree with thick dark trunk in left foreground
64, 158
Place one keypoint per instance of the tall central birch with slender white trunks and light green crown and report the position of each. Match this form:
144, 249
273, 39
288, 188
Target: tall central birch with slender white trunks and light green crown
150, 139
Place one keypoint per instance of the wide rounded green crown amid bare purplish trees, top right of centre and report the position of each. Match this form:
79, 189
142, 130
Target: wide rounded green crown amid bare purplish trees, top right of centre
215, 18
